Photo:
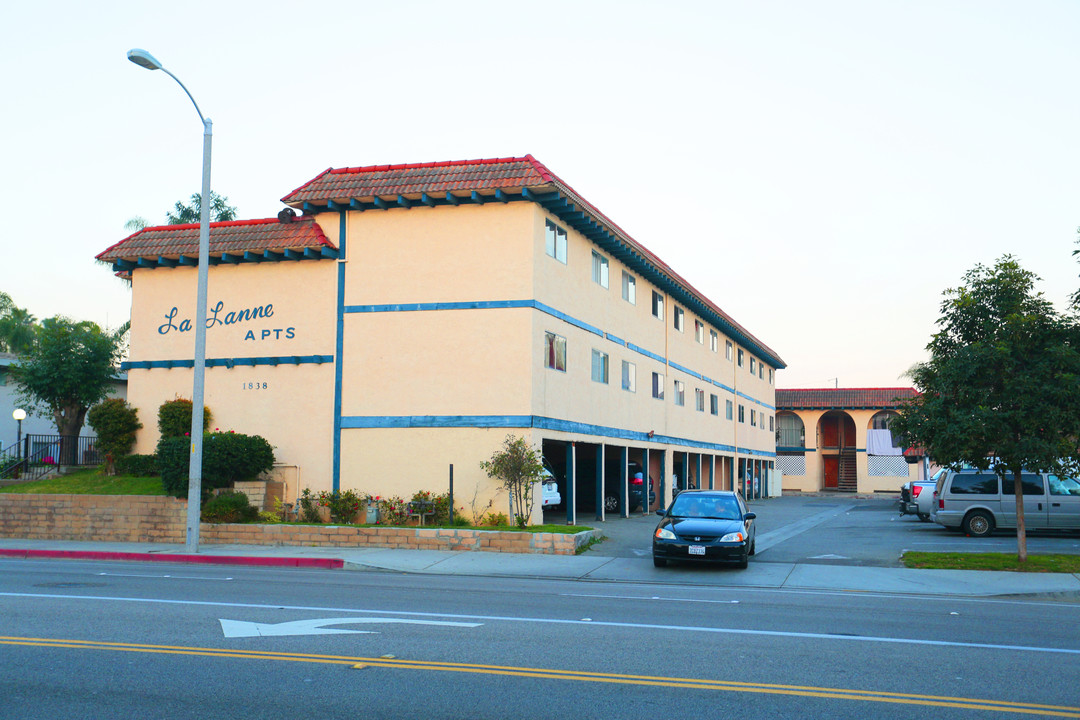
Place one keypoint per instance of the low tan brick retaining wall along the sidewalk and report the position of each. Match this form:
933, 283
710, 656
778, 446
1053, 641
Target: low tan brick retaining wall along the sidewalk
161, 520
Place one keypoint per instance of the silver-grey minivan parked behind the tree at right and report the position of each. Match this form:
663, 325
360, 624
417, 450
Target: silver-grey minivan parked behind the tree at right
977, 502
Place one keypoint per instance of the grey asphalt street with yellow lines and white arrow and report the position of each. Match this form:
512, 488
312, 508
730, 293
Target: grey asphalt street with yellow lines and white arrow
139, 641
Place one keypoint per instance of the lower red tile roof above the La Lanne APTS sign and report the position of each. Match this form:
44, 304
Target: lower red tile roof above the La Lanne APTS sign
234, 237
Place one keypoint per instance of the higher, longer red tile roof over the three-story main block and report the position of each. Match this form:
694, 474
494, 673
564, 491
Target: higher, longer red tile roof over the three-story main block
463, 176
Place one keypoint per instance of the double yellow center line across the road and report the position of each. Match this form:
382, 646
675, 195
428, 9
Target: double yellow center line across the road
584, 676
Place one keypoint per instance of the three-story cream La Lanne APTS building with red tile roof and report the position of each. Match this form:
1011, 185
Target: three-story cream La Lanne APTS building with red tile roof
415, 316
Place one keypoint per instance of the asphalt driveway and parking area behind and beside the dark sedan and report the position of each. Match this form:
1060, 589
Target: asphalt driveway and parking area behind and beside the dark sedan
841, 531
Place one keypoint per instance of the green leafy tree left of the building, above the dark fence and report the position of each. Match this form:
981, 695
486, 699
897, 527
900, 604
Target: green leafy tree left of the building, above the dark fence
69, 370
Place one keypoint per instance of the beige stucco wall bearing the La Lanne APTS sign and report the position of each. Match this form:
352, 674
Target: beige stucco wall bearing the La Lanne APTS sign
290, 405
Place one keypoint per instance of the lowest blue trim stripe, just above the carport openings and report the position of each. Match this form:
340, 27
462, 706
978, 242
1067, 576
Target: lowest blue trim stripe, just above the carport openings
361, 423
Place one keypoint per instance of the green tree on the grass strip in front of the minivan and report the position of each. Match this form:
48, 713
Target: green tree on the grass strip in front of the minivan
1001, 388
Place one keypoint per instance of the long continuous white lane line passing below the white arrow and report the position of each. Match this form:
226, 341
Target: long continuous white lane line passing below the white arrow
556, 621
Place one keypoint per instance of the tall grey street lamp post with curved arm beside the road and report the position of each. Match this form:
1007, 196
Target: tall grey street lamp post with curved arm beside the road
147, 61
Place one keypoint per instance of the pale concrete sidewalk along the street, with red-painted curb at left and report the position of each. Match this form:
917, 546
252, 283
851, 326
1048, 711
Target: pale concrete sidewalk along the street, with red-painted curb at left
587, 567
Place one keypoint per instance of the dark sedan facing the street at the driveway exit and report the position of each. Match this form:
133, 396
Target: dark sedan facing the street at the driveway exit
705, 526
